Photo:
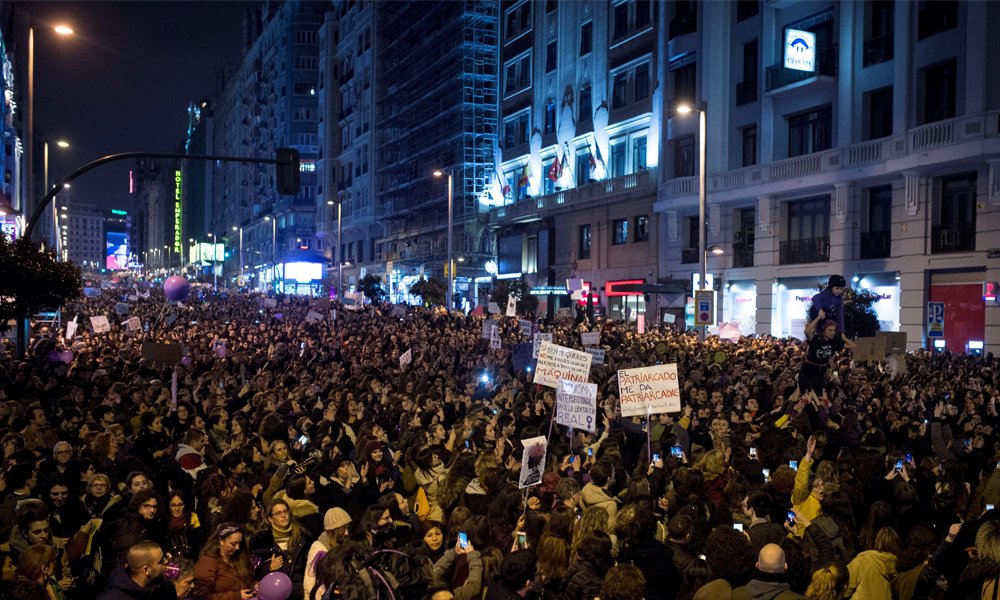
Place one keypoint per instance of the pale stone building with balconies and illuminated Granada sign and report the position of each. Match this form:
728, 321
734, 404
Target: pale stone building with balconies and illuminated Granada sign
873, 156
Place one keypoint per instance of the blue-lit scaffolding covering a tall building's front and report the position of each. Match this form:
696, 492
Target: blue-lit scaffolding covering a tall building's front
436, 98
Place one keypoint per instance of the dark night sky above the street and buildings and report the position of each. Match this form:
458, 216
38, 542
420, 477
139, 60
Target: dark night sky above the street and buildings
124, 80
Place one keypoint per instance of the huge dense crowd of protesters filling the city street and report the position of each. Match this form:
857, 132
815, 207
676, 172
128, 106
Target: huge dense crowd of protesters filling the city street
291, 439
